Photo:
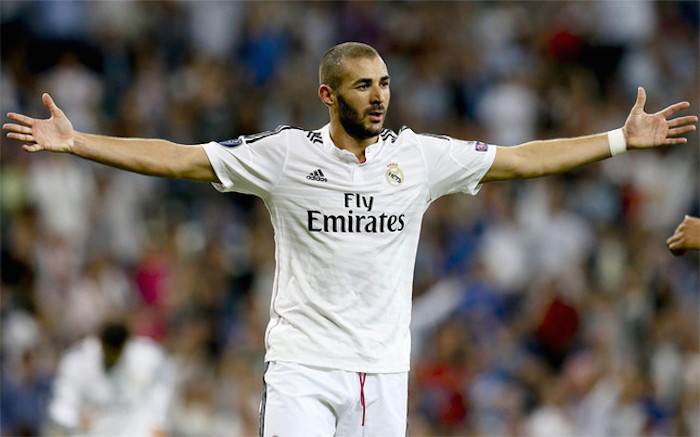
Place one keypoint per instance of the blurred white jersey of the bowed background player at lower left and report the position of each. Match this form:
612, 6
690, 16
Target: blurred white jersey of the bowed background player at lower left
132, 399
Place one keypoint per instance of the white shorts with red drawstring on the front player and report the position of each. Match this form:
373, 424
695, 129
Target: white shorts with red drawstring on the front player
306, 401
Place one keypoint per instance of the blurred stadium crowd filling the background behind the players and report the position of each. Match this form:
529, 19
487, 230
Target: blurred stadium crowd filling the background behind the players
543, 307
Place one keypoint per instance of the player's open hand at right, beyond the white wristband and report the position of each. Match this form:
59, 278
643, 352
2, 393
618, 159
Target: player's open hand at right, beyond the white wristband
649, 130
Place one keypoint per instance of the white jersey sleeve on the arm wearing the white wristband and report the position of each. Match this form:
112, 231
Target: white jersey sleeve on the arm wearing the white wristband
455, 165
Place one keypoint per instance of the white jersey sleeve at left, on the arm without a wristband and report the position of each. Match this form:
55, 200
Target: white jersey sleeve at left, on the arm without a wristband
248, 164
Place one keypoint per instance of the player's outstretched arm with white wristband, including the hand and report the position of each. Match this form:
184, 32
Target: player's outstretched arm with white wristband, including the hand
641, 130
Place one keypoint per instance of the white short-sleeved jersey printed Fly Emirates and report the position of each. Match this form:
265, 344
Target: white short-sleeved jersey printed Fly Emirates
346, 235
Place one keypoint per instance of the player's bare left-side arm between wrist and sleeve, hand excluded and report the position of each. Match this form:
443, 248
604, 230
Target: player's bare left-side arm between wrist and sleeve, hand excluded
153, 157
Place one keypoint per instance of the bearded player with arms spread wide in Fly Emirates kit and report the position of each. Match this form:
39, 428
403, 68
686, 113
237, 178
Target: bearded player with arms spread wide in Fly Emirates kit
346, 203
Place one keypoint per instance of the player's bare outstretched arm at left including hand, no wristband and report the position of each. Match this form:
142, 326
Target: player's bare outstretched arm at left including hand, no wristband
147, 156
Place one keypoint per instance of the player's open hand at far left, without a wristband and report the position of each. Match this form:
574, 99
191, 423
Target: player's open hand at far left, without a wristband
55, 134
